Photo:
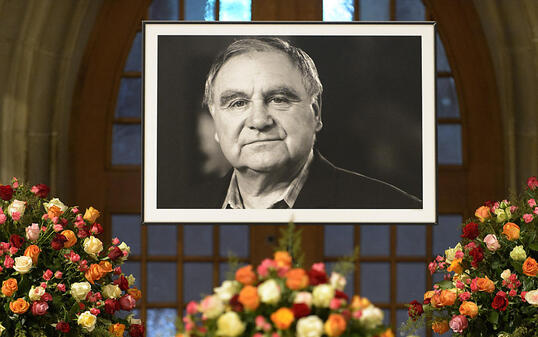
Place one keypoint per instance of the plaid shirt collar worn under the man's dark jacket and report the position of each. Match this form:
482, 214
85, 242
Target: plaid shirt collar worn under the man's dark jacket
234, 200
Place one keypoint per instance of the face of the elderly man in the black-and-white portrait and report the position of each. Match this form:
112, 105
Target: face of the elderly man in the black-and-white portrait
264, 118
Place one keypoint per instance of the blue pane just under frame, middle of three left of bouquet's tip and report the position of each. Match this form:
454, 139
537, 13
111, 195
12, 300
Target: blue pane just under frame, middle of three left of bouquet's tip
198, 240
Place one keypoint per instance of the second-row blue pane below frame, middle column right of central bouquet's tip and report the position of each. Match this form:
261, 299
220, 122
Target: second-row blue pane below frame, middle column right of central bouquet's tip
375, 281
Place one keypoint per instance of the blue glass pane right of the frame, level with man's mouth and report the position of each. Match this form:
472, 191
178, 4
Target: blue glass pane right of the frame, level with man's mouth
449, 144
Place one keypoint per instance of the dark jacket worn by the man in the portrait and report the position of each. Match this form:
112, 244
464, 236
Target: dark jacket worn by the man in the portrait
327, 186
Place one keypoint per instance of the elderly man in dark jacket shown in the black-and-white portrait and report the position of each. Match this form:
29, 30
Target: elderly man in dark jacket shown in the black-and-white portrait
265, 98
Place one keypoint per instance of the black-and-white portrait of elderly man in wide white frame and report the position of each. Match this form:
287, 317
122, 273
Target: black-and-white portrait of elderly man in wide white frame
264, 122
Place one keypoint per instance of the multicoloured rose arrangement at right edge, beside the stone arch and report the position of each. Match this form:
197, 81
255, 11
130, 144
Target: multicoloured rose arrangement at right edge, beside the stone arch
490, 285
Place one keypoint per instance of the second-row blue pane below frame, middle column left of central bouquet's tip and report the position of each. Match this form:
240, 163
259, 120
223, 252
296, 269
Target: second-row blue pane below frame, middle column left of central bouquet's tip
197, 280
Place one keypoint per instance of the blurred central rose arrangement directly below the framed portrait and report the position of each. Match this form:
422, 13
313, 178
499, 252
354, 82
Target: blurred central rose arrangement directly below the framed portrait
280, 298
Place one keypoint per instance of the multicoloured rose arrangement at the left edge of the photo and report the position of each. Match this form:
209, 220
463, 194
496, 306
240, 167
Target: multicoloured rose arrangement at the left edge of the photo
56, 276
